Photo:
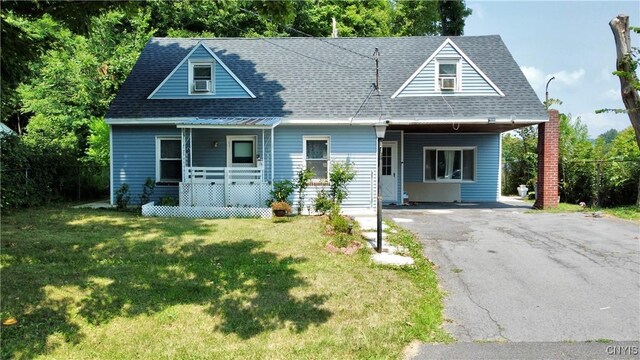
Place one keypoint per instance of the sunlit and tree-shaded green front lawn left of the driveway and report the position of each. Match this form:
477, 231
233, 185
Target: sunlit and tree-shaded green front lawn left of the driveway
103, 284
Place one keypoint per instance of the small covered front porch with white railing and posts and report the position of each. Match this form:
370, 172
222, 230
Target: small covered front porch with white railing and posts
227, 163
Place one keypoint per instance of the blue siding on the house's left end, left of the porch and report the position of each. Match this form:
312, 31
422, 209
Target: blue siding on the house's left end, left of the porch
134, 159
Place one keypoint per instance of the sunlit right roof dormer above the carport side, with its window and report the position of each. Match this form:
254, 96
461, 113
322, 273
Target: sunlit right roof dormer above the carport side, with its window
448, 72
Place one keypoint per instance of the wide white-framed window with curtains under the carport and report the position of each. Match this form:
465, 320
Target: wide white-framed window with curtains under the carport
449, 164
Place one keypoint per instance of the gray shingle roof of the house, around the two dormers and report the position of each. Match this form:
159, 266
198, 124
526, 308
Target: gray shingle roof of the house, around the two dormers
304, 78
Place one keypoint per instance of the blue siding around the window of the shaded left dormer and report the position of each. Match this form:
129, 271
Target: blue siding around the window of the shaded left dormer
177, 86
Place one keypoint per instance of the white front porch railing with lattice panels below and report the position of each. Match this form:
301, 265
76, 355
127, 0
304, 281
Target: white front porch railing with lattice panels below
224, 187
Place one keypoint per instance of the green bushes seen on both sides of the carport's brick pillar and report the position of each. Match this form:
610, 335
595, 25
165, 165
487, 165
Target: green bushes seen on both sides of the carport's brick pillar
601, 172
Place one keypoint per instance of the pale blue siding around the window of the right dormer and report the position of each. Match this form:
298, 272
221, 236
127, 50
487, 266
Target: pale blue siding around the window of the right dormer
424, 84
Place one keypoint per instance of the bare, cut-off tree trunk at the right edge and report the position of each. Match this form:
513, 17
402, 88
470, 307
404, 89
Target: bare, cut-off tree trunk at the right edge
630, 97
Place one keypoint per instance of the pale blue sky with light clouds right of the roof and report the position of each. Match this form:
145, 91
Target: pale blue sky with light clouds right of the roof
570, 40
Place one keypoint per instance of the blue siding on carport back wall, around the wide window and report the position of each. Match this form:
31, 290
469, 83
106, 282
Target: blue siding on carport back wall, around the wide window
485, 188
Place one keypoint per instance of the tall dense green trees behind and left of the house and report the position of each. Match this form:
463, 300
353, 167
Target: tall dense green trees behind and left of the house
57, 93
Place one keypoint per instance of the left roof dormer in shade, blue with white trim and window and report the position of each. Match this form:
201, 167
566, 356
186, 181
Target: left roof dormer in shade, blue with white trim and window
201, 75
